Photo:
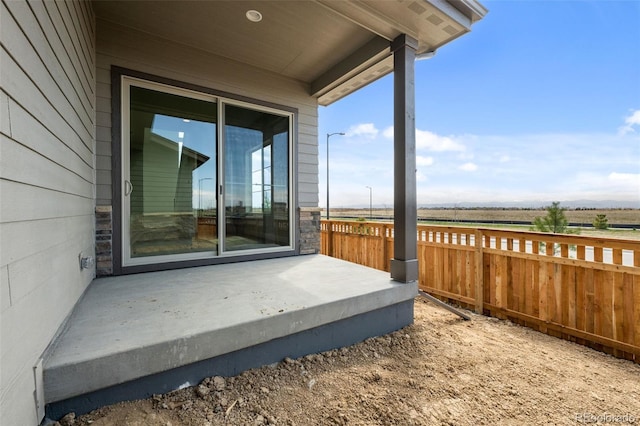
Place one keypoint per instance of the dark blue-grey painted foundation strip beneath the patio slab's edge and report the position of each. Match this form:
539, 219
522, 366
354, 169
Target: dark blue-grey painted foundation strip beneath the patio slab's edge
318, 339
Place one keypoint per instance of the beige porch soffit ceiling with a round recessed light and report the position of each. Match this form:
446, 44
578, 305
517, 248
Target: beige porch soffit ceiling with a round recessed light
333, 46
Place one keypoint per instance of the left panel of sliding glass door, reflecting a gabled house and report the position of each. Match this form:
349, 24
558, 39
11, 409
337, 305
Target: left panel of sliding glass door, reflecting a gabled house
170, 173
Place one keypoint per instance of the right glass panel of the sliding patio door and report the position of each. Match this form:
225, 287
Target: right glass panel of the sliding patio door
256, 179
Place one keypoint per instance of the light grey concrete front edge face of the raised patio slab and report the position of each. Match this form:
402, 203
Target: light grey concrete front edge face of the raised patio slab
64, 381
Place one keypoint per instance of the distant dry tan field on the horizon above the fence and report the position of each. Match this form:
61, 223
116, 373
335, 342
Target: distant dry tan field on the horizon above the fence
615, 216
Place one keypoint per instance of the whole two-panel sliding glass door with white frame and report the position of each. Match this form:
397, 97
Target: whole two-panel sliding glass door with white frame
176, 174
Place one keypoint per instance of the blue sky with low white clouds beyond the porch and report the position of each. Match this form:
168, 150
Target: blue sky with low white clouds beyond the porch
539, 102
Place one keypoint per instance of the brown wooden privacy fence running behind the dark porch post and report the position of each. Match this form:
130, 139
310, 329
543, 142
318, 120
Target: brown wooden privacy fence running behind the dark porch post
579, 288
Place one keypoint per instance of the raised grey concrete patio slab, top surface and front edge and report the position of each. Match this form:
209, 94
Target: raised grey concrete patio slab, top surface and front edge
133, 326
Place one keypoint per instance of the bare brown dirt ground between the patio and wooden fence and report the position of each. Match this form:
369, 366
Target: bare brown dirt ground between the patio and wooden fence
439, 371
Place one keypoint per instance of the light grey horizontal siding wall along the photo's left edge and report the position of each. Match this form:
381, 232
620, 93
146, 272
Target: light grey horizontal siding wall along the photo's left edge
47, 175
